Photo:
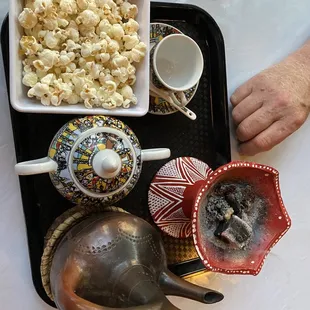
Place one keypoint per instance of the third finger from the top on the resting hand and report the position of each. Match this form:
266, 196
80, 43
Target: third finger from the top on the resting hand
254, 124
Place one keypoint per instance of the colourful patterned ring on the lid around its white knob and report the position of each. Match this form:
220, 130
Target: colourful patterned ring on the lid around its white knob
84, 154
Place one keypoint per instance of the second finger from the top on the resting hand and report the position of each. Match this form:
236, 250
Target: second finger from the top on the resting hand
247, 107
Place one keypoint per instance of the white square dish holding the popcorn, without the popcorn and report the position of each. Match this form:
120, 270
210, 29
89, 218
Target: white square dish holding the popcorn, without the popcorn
18, 92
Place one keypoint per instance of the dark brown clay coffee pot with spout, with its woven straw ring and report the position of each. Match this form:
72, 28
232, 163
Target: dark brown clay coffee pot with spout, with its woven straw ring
98, 259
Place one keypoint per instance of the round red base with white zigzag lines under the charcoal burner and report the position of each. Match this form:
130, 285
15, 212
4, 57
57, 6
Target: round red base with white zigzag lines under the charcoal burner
170, 194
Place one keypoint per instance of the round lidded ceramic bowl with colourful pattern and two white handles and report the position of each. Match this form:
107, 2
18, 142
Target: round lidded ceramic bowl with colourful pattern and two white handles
93, 159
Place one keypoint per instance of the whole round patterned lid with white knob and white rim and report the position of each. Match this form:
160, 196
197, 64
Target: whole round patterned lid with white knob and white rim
103, 161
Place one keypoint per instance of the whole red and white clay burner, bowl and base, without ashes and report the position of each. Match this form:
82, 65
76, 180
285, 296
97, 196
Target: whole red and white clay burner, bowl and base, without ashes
177, 199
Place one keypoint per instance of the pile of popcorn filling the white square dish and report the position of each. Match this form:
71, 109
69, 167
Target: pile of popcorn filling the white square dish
81, 51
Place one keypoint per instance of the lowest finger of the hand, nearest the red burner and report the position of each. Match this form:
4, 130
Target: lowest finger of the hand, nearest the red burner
267, 139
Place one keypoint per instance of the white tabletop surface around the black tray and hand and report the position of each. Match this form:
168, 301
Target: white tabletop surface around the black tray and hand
257, 33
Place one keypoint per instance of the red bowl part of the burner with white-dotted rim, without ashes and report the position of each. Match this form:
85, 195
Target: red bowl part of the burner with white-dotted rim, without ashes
276, 227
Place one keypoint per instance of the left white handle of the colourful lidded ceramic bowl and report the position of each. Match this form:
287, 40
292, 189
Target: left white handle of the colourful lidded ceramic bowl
39, 166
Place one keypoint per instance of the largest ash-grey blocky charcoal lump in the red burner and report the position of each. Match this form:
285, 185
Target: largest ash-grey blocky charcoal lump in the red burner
236, 232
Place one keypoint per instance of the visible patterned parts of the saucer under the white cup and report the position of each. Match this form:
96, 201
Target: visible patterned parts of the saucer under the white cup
158, 105
